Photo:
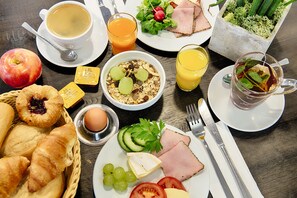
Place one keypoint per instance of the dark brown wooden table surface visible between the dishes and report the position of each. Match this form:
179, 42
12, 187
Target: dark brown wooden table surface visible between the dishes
271, 154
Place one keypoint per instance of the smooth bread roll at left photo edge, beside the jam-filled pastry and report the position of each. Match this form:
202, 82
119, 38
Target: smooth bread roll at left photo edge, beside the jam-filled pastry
6, 118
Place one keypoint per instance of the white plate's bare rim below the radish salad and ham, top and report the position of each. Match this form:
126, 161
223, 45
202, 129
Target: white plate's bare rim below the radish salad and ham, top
165, 40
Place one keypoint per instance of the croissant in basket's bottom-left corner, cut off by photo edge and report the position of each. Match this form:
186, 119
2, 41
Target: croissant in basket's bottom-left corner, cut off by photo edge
12, 170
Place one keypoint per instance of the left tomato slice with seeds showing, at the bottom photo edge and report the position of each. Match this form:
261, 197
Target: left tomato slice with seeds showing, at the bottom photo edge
148, 190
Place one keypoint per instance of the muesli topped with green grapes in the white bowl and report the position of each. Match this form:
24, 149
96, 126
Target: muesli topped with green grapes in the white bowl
142, 88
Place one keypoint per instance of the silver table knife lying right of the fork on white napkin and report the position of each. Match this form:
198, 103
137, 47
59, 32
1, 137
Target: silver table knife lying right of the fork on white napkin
212, 127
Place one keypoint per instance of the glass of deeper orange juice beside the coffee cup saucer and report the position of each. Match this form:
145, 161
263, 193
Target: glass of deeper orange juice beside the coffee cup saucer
122, 32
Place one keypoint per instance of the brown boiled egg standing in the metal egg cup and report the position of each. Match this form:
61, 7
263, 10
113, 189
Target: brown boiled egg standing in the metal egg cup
95, 119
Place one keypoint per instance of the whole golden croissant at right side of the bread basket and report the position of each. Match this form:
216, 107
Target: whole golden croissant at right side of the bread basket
51, 156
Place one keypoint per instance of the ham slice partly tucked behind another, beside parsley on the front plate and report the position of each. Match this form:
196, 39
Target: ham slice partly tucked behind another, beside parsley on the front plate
171, 138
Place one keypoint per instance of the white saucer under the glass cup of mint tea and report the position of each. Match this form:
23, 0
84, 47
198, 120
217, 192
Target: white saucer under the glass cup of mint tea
257, 119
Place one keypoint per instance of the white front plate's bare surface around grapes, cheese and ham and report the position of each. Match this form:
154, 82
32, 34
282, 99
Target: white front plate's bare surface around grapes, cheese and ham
197, 186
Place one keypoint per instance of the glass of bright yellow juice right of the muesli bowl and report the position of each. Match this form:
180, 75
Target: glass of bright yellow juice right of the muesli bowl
191, 64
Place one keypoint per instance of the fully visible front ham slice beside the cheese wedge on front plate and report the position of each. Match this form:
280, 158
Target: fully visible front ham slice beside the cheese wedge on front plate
180, 162
